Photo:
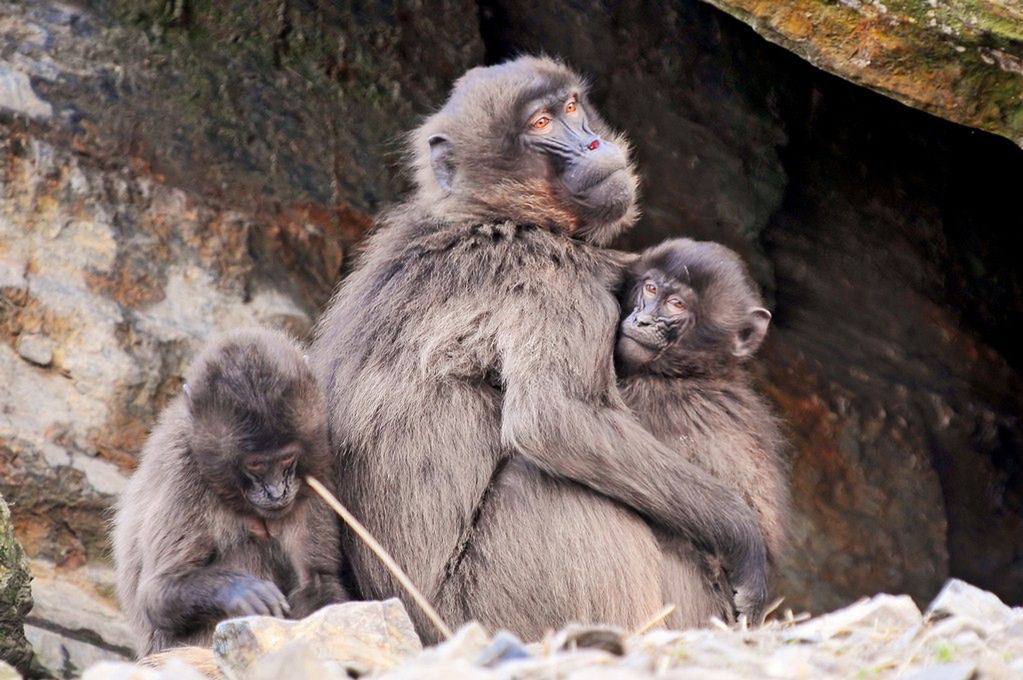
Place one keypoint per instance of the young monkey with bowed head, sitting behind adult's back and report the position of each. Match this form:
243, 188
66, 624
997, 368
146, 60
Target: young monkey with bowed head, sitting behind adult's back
216, 522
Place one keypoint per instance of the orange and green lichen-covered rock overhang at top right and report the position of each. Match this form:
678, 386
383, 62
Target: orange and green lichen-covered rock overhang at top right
959, 60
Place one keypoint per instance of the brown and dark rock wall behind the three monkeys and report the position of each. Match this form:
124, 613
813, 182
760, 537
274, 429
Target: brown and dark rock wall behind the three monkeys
172, 169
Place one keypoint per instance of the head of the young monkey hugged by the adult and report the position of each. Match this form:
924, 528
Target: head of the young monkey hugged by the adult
689, 308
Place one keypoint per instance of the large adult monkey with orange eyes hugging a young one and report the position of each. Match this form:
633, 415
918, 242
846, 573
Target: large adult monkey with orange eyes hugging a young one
478, 330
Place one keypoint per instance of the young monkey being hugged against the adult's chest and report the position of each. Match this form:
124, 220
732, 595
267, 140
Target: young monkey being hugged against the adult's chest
692, 319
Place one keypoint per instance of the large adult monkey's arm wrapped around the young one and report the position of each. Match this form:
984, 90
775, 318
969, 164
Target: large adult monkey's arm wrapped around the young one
554, 416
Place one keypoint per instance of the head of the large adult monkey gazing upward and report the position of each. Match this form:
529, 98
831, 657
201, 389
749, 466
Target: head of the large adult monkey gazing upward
521, 142
